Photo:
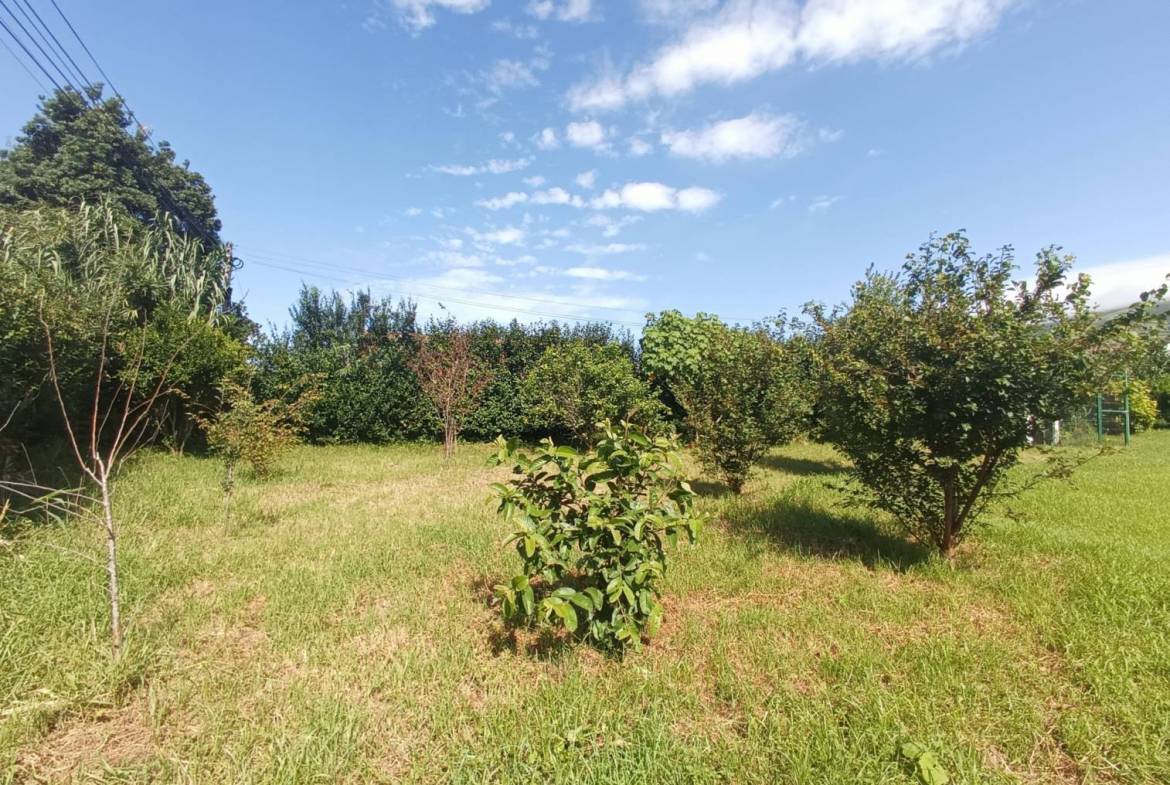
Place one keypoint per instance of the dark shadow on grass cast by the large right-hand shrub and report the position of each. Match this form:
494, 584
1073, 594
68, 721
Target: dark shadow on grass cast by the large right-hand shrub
797, 526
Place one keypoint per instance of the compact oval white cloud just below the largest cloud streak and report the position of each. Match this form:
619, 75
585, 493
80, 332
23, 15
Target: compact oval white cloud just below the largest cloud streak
754, 136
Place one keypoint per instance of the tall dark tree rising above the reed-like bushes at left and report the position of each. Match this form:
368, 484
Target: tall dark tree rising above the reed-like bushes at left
88, 149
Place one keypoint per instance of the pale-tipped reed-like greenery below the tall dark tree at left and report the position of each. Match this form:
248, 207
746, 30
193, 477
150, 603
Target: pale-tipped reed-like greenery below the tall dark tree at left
59, 268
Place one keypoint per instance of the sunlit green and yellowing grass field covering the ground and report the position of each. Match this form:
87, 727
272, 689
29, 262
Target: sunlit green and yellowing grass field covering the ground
340, 631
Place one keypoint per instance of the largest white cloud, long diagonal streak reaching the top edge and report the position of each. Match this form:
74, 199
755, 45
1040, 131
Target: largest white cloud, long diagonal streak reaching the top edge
747, 39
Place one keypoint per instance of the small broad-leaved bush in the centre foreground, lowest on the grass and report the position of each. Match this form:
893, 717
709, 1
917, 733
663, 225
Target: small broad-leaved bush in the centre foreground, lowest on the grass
590, 529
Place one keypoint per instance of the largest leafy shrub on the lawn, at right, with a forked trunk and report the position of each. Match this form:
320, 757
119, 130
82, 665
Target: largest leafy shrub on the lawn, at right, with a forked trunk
930, 378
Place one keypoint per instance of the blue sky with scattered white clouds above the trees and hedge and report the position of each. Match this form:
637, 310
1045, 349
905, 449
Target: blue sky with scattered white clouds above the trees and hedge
600, 160
